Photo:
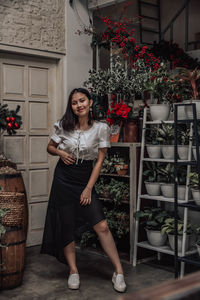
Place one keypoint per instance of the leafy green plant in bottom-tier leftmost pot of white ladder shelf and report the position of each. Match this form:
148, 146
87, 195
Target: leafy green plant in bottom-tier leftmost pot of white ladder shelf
153, 217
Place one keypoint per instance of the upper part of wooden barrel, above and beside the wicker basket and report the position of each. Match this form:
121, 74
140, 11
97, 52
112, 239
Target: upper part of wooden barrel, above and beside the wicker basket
14, 183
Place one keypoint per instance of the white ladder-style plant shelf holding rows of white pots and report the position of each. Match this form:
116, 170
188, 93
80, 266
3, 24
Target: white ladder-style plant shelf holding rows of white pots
144, 244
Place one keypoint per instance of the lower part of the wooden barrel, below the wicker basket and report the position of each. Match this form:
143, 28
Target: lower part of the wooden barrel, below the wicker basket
12, 258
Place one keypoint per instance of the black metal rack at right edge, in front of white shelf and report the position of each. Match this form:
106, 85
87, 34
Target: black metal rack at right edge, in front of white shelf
191, 259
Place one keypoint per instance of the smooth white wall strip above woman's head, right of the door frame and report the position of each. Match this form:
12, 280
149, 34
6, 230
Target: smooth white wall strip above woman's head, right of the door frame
78, 51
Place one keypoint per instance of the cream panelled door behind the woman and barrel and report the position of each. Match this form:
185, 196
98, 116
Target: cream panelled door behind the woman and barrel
28, 83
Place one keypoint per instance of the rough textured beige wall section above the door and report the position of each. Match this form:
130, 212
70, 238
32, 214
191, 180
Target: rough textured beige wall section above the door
35, 24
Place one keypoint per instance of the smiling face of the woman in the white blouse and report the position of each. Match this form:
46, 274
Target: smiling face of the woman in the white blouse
81, 105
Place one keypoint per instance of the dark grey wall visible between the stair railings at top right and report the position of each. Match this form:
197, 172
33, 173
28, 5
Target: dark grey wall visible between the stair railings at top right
168, 11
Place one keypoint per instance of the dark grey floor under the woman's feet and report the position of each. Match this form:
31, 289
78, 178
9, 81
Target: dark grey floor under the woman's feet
45, 278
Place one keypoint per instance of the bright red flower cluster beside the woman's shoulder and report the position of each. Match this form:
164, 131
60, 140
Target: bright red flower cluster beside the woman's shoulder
118, 113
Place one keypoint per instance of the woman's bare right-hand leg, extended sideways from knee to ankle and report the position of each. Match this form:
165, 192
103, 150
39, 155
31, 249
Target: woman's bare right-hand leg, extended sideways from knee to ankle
108, 244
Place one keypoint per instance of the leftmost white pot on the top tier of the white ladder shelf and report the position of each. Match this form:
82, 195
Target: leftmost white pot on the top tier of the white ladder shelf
159, 112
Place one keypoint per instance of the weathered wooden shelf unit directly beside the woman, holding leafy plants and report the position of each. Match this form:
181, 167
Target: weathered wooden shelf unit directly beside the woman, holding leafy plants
132, 179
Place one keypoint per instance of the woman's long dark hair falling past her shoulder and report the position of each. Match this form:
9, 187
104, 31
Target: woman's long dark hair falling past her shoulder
69, 119
